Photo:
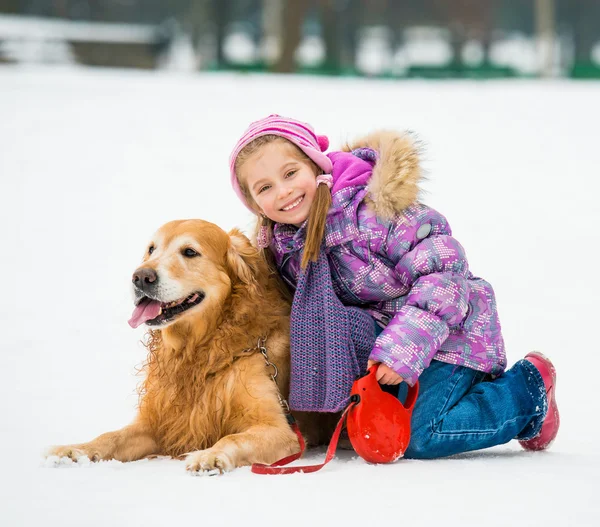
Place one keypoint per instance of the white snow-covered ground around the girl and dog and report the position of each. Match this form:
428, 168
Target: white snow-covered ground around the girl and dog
93, 161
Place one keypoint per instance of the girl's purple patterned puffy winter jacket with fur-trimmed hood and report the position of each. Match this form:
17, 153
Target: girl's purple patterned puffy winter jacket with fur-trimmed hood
396, 258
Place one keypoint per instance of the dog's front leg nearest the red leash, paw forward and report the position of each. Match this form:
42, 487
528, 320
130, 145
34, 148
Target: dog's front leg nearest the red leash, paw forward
259, 444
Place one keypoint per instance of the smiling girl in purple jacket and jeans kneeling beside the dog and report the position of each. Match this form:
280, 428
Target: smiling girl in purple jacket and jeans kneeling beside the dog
395, 258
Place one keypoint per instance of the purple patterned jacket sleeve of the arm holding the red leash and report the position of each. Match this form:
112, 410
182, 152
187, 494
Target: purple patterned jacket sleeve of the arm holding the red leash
435, 273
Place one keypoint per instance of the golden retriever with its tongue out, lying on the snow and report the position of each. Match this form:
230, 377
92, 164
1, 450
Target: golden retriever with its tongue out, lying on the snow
208, 395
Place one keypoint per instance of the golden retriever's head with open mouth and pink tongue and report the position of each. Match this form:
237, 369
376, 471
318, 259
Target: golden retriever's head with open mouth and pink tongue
187, 269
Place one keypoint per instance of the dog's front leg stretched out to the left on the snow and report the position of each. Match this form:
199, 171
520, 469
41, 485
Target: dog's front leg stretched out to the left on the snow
127, 444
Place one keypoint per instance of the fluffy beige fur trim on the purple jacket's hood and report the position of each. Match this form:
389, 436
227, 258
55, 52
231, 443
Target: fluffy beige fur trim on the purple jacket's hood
394, 184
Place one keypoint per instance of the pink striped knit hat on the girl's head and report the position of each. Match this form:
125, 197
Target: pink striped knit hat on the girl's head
299, 133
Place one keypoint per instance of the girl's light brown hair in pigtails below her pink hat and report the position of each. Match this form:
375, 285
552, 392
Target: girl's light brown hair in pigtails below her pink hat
318, 211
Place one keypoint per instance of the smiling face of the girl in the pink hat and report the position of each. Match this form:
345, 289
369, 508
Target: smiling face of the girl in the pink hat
282, 183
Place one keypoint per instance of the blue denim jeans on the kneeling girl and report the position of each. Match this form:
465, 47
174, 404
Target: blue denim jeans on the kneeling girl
459, 409
